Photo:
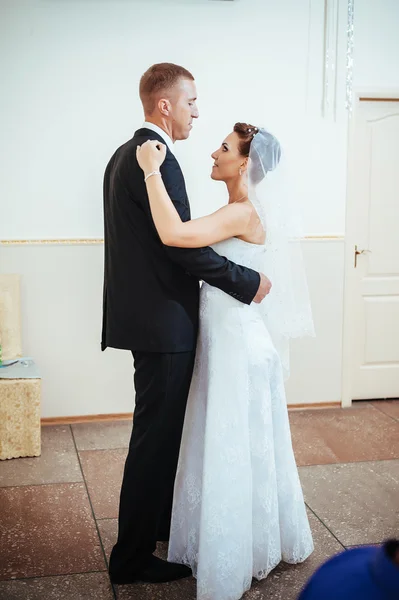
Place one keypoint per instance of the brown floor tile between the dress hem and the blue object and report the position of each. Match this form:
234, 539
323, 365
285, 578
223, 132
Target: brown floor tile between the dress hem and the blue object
286, 581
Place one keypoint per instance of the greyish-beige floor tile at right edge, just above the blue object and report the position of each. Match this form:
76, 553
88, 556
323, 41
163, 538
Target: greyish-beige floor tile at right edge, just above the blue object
358, 502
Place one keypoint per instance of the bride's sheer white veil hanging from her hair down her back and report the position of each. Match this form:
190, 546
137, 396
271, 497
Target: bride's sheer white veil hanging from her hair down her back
287, 309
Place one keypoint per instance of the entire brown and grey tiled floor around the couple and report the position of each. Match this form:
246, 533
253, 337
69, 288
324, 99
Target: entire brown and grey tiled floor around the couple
58, 512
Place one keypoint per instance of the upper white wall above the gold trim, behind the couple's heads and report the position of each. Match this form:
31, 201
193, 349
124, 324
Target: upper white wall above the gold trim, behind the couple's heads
70, 97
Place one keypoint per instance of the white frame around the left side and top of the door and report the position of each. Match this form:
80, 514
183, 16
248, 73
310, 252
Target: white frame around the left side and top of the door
361, 95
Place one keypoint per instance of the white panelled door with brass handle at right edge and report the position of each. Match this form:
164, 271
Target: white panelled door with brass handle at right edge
371, 322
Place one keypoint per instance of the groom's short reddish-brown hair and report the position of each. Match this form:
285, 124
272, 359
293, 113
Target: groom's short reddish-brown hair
158, 78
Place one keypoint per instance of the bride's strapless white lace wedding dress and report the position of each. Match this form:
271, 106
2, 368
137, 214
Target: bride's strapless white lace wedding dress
238, 506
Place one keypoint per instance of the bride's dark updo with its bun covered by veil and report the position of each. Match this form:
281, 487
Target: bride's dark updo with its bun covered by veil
264, 153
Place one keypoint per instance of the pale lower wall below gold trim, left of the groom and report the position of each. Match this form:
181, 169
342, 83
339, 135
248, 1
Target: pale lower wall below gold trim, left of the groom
61, 290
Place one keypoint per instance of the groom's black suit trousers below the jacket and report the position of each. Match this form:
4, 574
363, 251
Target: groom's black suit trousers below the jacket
162, 382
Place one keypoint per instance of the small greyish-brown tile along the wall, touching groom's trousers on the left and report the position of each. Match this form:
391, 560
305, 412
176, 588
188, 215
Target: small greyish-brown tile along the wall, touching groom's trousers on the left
102, 436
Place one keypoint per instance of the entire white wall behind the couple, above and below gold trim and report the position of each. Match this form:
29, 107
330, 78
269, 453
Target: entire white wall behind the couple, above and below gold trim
69, 76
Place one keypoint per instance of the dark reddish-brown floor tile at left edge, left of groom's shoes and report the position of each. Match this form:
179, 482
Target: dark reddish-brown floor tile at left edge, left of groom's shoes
47, 530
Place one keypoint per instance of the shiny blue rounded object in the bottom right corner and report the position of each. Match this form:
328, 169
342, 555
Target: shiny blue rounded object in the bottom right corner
366, 573
